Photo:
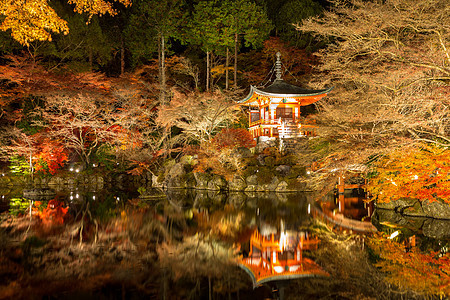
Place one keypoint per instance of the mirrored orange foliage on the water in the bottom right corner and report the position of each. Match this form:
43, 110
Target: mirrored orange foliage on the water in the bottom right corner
425, 273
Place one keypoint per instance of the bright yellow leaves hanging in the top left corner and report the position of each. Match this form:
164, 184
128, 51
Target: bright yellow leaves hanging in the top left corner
33, 20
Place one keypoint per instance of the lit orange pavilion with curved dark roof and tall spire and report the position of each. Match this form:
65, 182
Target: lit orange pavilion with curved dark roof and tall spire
274, 111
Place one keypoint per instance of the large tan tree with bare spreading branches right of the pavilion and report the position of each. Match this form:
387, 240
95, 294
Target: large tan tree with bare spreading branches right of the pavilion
389, 62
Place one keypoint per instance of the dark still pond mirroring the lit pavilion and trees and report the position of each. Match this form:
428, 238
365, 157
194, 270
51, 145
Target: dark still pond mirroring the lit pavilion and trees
188, 244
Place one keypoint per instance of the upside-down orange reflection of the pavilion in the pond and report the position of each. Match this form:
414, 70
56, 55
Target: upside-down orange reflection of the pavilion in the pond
279, 256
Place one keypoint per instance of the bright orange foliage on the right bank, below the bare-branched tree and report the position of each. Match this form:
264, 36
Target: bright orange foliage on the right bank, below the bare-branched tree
421, 173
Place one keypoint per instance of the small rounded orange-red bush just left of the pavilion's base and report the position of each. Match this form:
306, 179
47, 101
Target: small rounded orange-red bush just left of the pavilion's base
233, 137
